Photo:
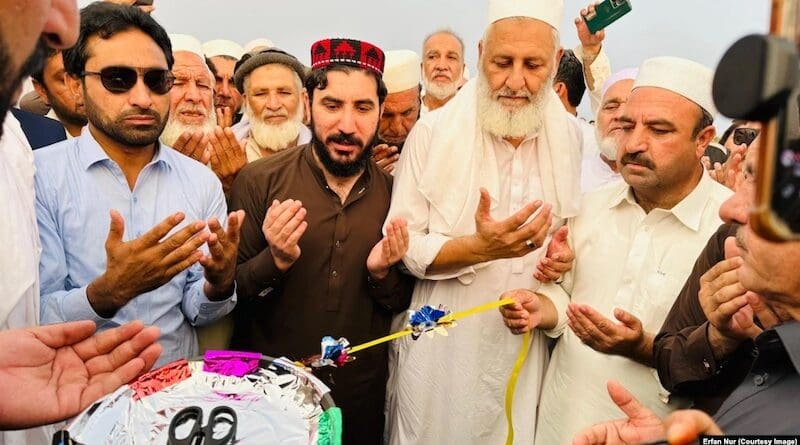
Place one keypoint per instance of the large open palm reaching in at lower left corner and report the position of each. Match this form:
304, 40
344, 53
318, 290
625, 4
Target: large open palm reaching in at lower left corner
51, 373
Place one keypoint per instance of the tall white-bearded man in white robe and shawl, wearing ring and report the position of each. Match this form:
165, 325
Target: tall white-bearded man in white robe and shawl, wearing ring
483, 183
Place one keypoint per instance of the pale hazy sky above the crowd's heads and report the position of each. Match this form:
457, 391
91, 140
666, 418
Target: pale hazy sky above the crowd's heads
700, 30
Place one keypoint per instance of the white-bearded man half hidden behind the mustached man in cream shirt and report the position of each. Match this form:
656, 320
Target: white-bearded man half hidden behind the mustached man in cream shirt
600, 168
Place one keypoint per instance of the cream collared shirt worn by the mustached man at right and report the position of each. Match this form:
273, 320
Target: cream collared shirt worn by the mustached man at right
628, 259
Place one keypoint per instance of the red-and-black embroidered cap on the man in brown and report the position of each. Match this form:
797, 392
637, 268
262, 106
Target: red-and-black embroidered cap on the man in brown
349, 52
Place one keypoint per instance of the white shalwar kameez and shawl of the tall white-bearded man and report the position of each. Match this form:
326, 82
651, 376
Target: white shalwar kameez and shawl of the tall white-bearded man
452, 389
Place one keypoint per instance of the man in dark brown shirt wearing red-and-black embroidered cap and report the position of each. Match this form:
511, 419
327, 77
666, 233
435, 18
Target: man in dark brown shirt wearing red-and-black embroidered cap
312, 260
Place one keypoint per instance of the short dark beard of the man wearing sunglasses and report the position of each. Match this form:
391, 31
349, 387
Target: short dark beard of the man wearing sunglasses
118, 131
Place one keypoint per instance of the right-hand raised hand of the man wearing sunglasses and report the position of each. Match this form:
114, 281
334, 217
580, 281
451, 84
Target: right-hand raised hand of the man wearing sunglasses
220, 264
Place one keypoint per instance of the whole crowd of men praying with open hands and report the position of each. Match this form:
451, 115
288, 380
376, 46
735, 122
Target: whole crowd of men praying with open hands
233, 197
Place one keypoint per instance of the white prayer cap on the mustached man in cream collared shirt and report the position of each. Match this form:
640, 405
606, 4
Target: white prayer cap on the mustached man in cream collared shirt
682, 76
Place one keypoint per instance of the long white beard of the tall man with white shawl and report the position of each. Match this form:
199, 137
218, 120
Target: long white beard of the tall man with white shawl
505, 123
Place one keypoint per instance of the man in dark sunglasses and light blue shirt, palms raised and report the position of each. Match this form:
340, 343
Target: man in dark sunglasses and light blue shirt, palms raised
166, 258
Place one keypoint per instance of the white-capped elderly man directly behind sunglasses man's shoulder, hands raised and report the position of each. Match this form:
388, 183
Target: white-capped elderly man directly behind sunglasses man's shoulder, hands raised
192, 125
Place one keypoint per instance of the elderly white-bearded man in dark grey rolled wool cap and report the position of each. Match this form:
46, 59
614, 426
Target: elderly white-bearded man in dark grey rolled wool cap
271, 82
